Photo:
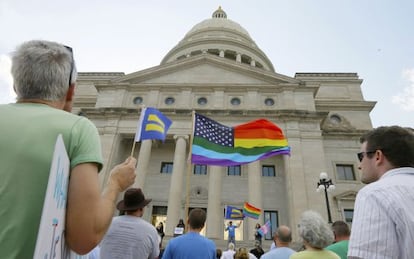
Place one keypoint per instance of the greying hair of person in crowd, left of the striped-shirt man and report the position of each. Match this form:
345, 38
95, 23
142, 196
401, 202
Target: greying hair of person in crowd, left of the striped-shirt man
314, 230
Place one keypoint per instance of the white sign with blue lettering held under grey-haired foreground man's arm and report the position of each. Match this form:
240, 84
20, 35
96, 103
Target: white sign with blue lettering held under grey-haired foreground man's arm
50, 238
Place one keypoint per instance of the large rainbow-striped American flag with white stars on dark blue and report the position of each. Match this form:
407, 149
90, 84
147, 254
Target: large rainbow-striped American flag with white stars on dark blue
217, 144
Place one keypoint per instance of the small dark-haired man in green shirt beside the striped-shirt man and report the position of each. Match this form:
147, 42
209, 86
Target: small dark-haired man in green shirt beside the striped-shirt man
342, 233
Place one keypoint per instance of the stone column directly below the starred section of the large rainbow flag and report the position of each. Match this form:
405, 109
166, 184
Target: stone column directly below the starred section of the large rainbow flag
214, 210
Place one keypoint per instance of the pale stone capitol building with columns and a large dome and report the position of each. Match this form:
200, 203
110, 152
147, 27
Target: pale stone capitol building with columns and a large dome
219, 71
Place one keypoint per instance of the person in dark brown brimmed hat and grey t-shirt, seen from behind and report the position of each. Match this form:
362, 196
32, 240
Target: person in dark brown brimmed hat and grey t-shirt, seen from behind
130, 236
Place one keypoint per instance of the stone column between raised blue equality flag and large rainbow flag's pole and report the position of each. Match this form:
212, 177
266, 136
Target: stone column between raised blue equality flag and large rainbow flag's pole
176, 185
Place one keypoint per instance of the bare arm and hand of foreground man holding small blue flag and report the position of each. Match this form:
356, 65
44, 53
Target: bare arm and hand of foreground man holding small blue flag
89, 213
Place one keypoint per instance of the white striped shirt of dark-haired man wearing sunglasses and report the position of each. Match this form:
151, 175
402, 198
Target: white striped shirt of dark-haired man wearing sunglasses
383, 223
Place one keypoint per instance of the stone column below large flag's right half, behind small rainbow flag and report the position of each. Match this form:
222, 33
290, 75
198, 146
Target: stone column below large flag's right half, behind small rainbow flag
254, 175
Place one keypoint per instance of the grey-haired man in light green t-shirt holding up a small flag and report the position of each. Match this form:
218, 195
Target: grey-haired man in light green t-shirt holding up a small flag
44, 76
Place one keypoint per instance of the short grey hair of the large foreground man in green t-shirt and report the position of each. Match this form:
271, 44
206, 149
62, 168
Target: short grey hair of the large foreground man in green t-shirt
42, 70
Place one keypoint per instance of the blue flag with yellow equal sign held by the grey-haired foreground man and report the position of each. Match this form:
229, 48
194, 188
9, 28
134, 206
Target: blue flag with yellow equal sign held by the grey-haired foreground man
152, 124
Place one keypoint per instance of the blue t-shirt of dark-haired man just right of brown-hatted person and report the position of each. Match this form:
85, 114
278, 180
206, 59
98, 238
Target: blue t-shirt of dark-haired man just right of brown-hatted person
189, 246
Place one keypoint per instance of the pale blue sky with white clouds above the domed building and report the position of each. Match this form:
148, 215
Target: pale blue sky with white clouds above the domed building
373, 38
